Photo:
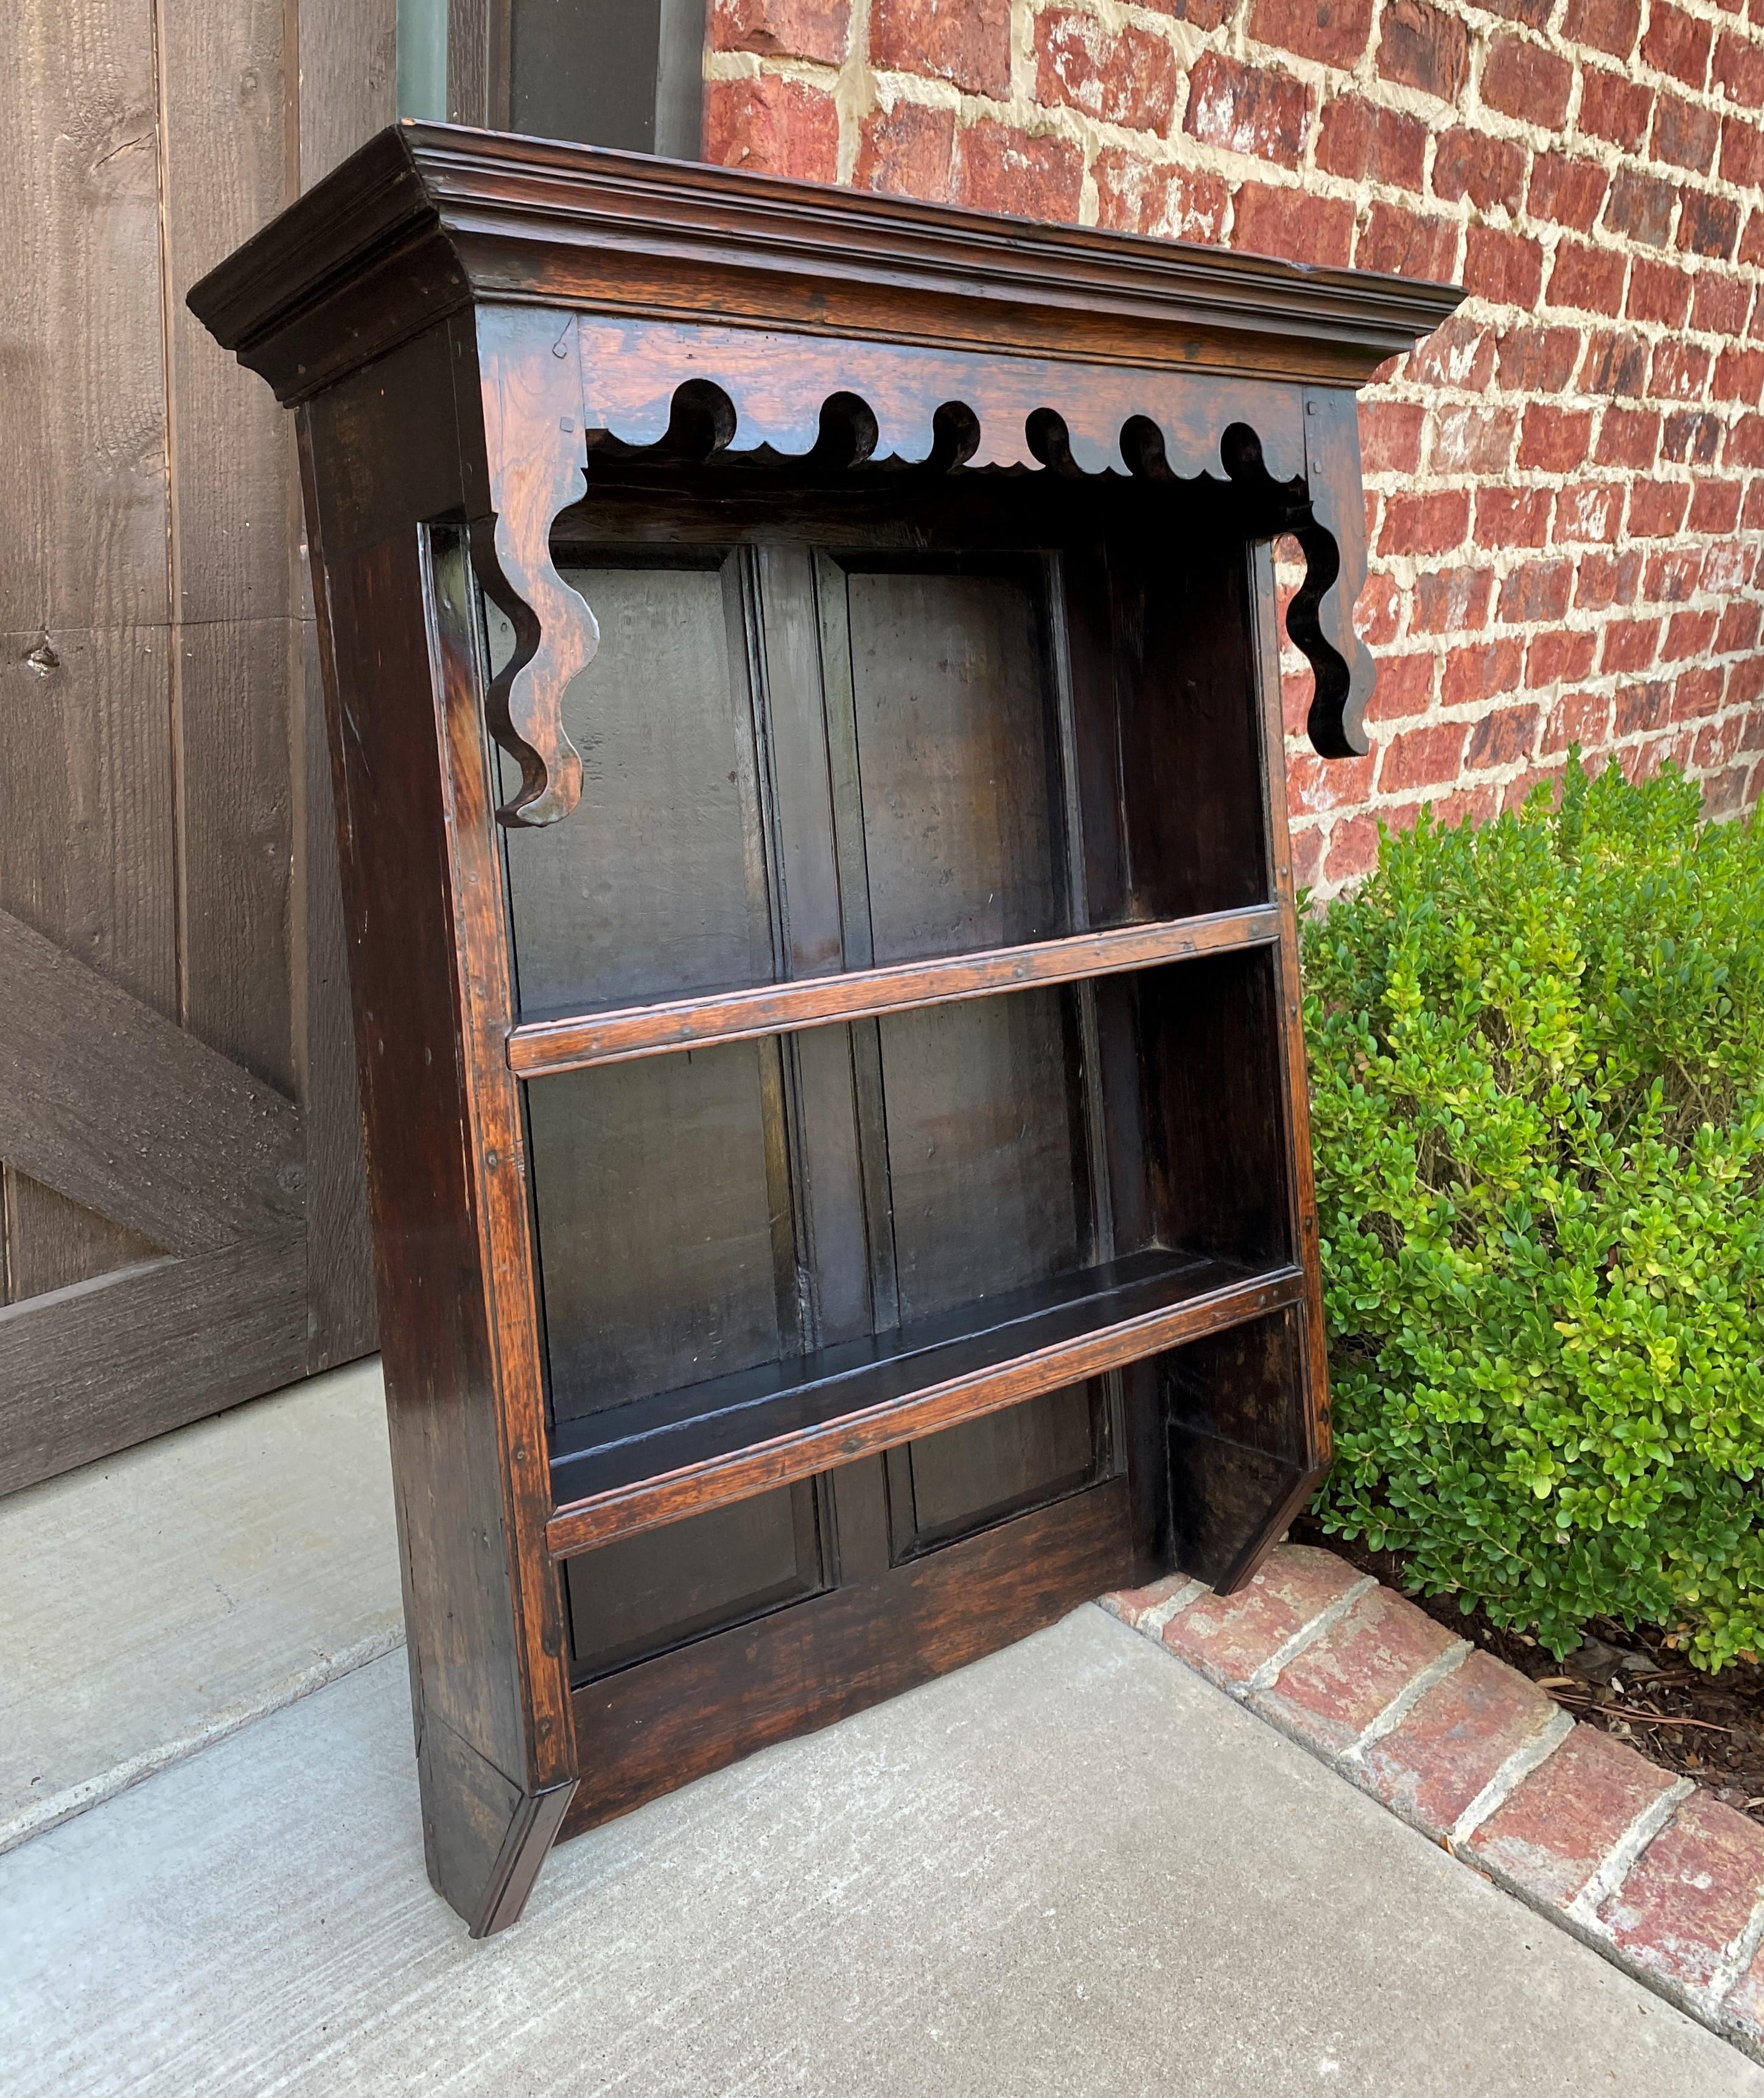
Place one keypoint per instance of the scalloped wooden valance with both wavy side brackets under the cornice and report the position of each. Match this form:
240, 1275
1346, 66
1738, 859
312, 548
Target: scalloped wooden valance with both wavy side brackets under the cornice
548, 389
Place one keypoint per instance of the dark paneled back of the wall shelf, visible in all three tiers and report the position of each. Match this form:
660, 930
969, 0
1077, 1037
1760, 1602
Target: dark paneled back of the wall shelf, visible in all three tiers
846, 748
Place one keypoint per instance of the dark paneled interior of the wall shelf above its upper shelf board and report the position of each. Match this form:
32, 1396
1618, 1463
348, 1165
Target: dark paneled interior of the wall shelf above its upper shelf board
1039, 733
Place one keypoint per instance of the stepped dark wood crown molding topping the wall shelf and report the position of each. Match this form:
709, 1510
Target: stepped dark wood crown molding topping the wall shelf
429, 217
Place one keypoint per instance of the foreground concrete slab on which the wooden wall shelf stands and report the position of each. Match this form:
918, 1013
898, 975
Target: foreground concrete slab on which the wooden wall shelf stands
1071, 1870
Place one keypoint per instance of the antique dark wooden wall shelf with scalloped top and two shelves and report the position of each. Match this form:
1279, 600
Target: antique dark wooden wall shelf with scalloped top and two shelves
804, 708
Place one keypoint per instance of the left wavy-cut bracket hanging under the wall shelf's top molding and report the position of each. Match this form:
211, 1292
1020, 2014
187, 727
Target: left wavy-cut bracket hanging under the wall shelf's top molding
532, 406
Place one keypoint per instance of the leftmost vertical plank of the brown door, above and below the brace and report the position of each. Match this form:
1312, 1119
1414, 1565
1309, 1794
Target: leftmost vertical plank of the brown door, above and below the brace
85, 681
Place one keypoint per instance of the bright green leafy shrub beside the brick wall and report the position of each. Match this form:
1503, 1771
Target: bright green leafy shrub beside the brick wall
1539, 1109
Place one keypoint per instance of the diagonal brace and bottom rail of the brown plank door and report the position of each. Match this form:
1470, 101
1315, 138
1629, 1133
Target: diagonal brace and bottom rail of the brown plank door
119, 1111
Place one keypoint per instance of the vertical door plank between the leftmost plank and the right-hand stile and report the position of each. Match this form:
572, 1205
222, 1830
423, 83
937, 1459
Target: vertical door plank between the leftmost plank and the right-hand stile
225, 156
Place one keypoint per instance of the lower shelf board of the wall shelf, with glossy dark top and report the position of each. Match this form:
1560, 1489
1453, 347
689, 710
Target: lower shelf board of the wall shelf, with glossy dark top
653, 1461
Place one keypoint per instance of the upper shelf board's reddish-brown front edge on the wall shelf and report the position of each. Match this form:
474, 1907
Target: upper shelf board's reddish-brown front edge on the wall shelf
542, 1048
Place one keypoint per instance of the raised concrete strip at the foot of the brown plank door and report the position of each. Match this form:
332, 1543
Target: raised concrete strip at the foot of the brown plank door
169, 1596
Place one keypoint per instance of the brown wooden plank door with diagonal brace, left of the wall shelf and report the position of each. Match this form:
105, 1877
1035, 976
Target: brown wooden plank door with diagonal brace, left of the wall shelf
181, 1218
